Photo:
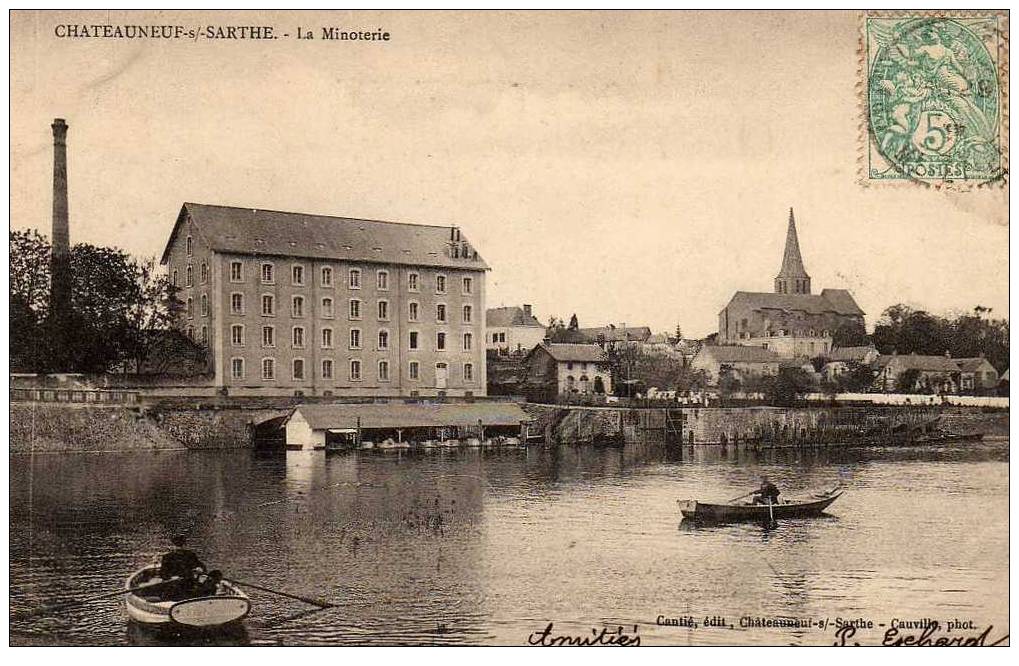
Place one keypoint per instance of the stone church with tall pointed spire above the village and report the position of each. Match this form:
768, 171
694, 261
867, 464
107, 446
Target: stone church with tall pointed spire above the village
791, 321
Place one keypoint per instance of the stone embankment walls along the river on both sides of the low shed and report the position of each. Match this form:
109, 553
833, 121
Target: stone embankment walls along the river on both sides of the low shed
39, 427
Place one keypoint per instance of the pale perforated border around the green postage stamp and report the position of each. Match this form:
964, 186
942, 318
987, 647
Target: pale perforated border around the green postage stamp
865, 135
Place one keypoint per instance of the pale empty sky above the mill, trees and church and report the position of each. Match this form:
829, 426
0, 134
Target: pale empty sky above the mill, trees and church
627, 168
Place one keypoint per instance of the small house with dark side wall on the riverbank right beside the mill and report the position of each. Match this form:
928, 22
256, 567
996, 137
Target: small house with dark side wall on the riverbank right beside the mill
567, 369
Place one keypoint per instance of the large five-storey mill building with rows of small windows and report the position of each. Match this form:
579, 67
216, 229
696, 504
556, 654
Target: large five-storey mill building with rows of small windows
290, 304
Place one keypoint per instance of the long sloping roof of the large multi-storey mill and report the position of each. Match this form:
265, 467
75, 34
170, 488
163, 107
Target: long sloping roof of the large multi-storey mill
254, 232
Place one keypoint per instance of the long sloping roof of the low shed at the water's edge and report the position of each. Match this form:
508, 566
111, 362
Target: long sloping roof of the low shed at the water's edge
321, 417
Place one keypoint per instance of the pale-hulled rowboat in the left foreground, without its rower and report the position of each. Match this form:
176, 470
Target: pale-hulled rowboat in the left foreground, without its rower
148, 608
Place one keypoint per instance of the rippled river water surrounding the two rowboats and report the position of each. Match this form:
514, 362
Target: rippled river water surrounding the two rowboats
491, 546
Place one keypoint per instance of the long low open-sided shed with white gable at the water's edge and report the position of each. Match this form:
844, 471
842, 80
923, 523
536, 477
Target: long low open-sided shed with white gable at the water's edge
404, 425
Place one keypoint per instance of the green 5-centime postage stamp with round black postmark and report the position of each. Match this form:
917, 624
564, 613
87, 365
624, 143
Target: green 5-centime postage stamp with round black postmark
936, 106
